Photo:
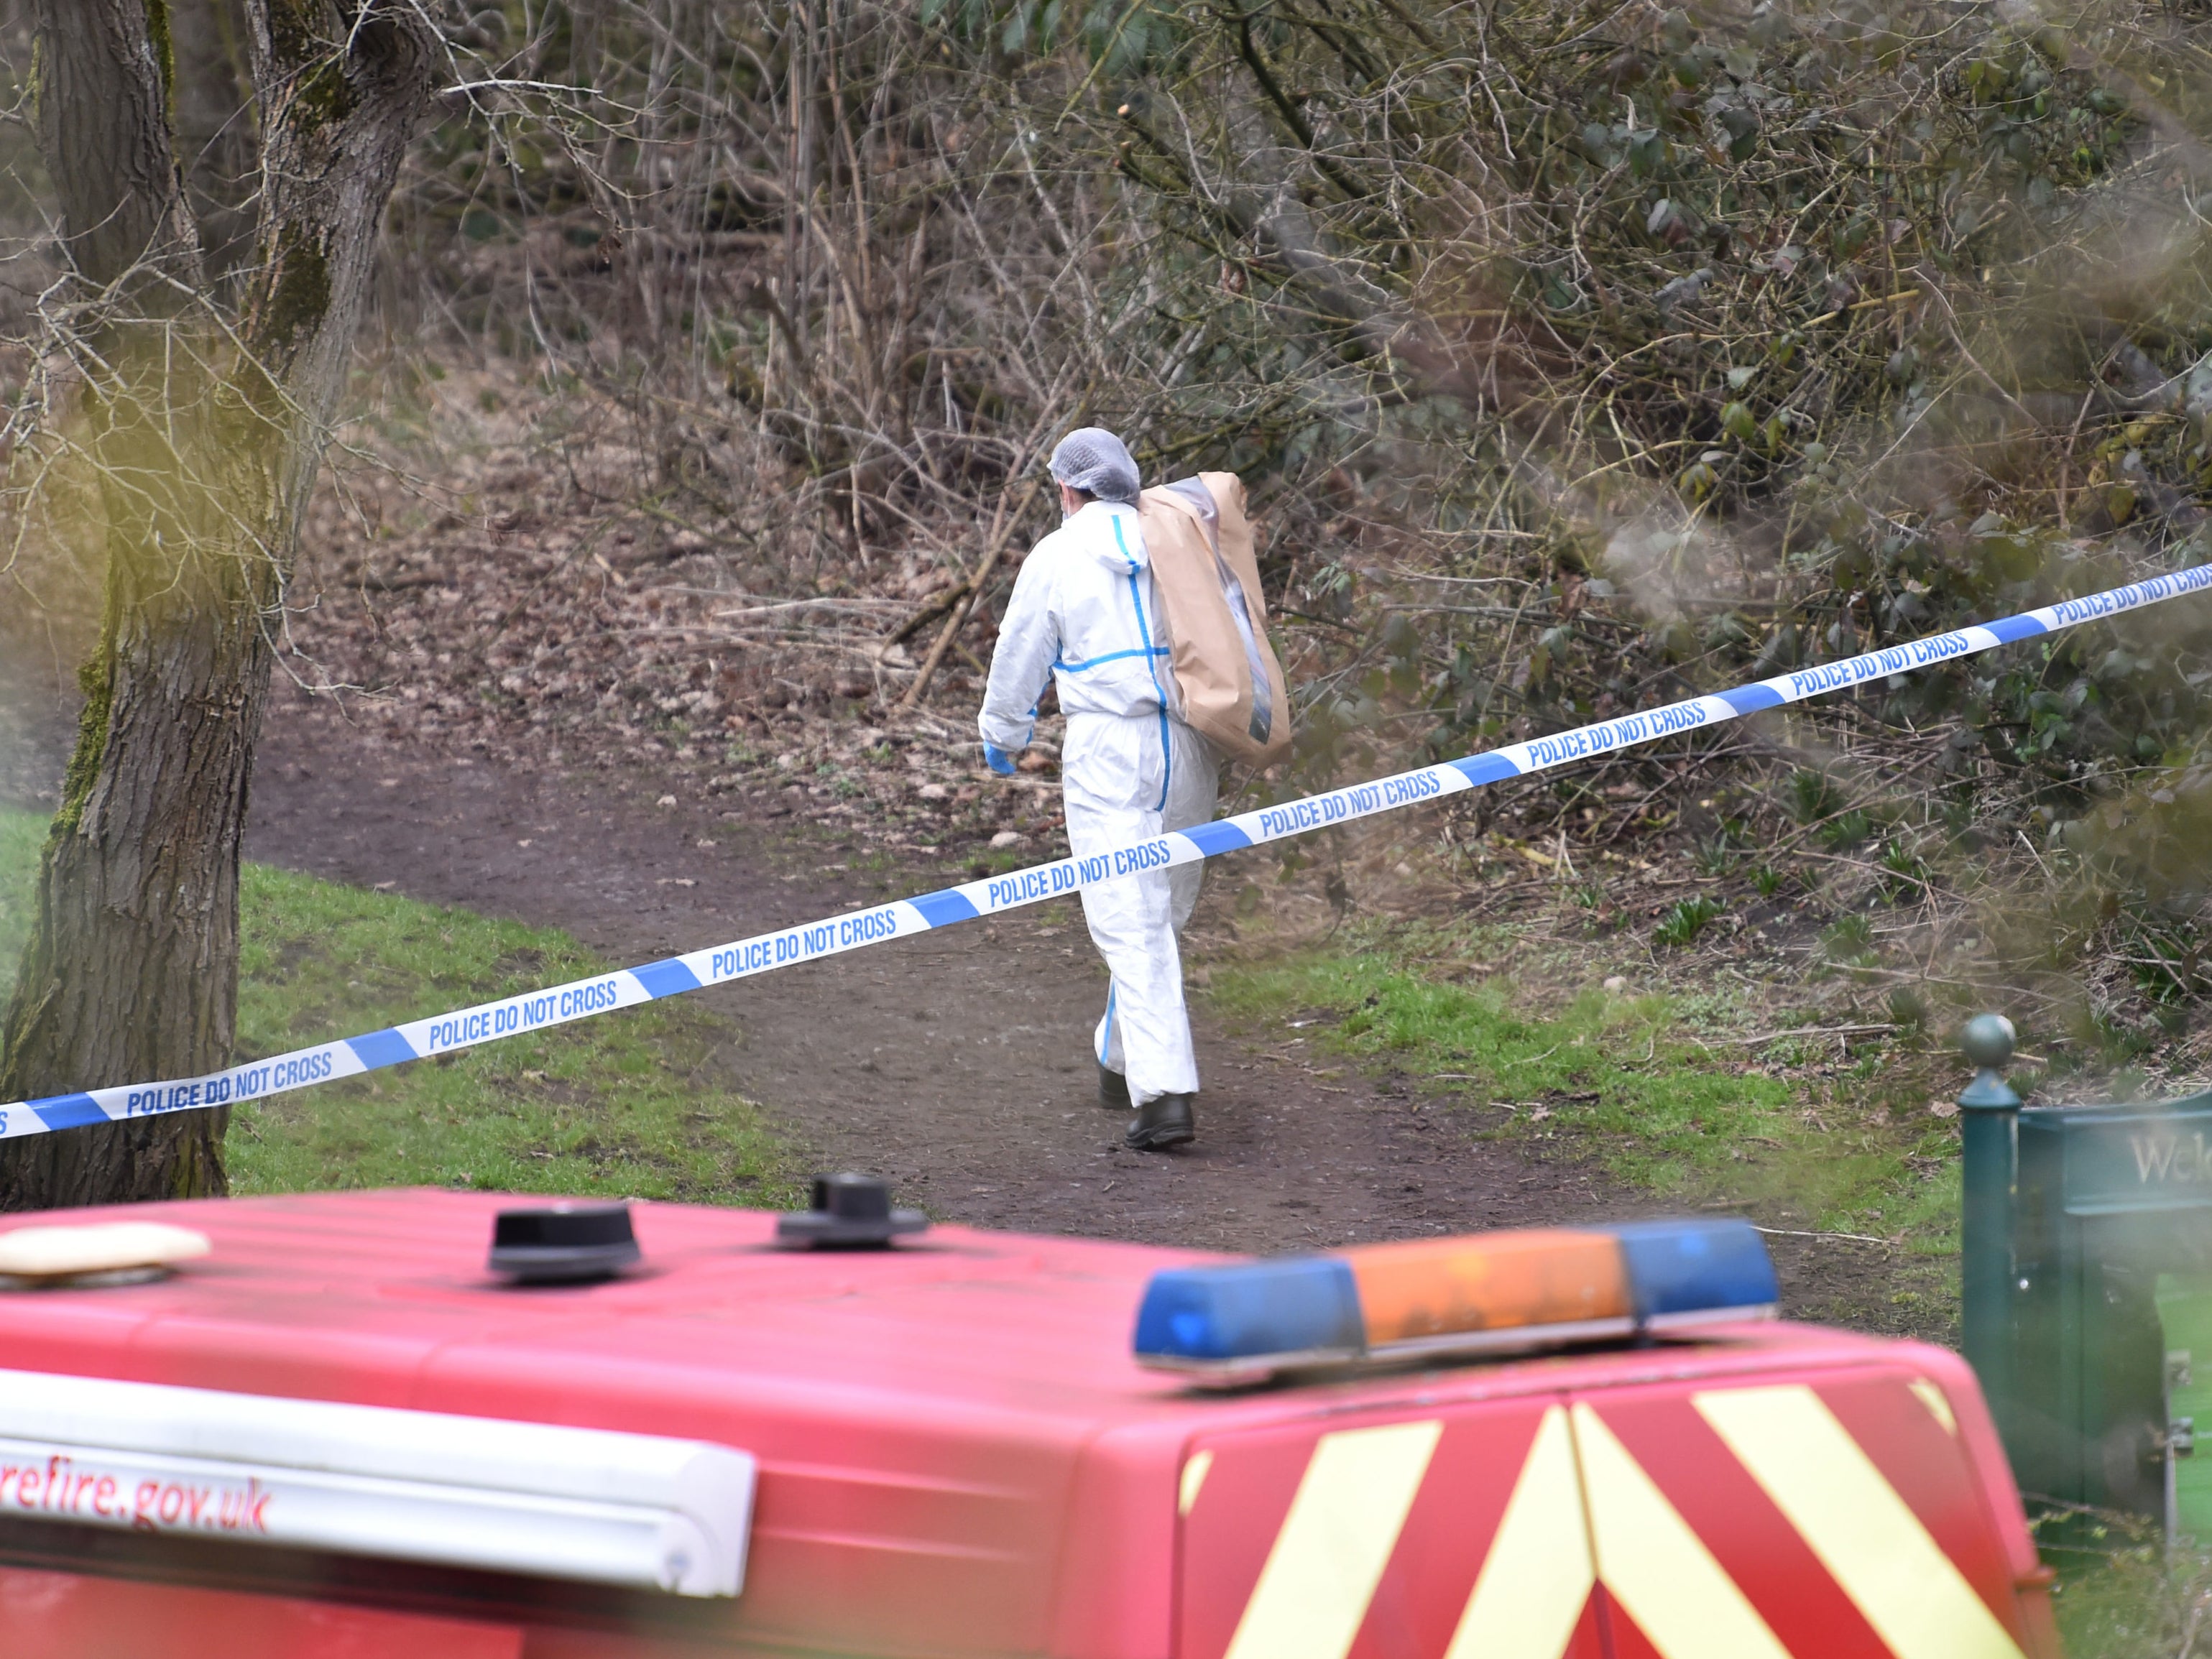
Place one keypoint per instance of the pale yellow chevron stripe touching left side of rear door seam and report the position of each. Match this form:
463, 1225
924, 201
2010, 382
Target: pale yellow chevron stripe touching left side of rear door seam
1538, 1576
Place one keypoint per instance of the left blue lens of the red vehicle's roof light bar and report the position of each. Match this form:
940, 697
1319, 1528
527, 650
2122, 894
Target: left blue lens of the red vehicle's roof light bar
1286, 1311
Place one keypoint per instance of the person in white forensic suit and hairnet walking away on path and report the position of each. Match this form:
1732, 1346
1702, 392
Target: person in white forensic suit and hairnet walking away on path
1085, 616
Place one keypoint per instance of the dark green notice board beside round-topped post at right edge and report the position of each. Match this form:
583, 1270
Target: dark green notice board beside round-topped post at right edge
2111, 1311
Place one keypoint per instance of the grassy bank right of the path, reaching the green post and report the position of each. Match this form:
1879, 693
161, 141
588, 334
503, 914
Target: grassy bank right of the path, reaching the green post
1698, 1096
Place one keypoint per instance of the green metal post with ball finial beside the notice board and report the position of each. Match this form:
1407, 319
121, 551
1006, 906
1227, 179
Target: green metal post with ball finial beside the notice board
1990, 1118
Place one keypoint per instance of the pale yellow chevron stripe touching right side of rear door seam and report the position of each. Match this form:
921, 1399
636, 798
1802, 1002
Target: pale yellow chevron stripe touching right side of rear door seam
1656, 1567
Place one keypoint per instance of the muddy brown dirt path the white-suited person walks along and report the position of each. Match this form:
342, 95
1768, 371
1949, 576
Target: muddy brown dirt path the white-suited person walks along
957, 1063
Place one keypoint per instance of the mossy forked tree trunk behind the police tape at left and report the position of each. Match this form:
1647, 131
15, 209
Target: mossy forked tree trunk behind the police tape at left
207, 435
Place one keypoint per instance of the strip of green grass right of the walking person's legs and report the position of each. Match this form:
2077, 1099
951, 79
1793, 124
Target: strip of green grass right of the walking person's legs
1623, 1078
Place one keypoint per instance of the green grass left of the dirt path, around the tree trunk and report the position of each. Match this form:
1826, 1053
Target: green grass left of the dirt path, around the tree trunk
625, 1105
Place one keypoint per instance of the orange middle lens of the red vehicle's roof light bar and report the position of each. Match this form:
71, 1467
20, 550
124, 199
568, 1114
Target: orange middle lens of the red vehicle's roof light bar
1494, 1282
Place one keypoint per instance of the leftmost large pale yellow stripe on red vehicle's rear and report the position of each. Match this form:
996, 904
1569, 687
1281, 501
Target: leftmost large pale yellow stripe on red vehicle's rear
1335, 1543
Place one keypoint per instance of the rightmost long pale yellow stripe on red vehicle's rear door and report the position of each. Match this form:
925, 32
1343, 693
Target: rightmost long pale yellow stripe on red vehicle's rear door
1866, 1536
